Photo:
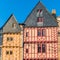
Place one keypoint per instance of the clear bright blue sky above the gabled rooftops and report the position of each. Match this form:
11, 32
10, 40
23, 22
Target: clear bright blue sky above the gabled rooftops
22, 8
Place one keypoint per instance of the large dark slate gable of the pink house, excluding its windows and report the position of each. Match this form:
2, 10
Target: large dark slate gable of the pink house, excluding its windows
31, 20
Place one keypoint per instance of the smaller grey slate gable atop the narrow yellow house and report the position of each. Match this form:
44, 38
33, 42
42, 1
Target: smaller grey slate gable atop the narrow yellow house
8, 28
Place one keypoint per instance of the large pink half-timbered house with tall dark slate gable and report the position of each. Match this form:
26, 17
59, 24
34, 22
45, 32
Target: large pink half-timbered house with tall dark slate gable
40, 35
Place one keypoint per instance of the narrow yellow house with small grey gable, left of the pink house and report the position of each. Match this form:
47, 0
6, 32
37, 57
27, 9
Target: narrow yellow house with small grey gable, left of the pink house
12, 47
